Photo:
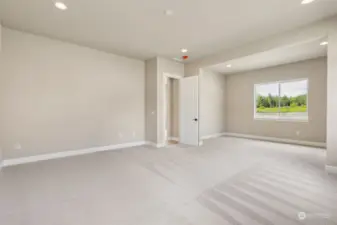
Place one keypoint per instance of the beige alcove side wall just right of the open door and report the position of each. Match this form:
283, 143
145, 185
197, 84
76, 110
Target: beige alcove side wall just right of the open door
212, 103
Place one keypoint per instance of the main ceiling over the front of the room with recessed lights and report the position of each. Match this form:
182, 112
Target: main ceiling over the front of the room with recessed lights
139, 28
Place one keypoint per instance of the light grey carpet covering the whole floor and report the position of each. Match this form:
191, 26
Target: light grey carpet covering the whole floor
226, 181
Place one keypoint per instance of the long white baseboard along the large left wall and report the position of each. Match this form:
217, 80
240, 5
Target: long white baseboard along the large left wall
57, 155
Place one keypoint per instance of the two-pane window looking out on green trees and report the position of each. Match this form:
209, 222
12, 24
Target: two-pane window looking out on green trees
286, 100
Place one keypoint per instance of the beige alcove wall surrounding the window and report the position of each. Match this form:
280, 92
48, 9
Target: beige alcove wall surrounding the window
240, 102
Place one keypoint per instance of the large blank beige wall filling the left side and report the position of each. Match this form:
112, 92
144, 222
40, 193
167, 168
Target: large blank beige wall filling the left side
56, 96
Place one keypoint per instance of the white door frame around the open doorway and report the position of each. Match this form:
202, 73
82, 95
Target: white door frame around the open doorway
166, 77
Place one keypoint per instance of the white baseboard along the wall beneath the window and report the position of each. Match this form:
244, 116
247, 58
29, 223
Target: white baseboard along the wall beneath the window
279, 140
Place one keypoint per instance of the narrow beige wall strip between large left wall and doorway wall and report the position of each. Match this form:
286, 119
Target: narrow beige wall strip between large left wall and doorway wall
151, 99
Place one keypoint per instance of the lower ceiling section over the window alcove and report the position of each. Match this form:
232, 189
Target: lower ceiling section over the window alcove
274, 57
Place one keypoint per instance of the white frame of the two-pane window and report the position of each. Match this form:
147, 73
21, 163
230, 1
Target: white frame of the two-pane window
281, 118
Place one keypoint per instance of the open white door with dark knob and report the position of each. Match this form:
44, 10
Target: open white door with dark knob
189, 111
